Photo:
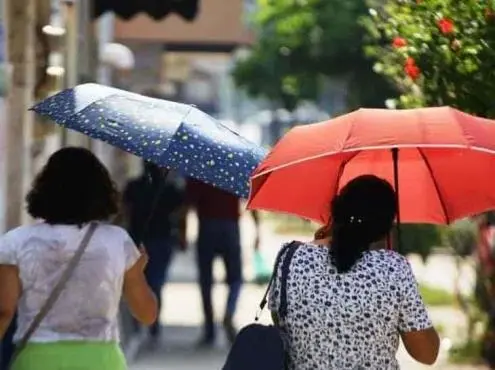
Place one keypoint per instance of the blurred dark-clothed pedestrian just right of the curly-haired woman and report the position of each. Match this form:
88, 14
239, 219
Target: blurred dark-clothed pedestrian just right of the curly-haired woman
153, 204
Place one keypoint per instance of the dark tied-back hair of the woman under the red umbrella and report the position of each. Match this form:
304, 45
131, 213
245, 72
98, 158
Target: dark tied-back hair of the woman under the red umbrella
362, 213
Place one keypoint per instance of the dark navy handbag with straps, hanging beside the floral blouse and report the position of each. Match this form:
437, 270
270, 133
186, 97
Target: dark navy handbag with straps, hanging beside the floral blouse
261, 347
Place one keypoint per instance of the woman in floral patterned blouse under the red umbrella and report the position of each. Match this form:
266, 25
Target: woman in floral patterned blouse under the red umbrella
349, 300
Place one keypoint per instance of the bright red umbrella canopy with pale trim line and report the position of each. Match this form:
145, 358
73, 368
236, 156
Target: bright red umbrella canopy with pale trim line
441, 160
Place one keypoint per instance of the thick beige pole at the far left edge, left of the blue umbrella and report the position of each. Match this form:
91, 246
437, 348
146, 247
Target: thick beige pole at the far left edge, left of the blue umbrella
20, 16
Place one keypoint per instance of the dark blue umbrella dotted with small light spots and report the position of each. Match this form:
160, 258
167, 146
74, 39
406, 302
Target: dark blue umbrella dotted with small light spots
172, 135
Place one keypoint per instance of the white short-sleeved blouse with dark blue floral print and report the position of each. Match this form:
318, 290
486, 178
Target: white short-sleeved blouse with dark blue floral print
352, 320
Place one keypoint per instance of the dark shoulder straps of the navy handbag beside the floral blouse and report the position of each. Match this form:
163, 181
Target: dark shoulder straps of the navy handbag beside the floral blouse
288, 250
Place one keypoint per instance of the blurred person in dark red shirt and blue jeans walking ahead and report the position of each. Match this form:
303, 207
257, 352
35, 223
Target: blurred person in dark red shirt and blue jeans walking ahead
218, 213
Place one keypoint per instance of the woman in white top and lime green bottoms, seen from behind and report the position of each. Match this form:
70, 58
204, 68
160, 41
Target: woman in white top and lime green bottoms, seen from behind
81, 329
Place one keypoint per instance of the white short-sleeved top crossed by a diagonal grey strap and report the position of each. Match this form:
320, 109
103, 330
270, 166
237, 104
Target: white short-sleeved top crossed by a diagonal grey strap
88, 307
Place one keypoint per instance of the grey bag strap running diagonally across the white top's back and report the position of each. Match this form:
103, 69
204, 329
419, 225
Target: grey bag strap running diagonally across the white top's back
55, 293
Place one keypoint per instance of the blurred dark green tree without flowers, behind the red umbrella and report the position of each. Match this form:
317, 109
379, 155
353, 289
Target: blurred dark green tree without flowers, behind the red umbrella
299, 43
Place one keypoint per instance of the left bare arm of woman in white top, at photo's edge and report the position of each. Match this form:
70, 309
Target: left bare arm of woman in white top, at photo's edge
10, 291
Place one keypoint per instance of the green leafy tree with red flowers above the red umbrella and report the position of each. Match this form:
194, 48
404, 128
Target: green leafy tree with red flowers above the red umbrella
438, 52
